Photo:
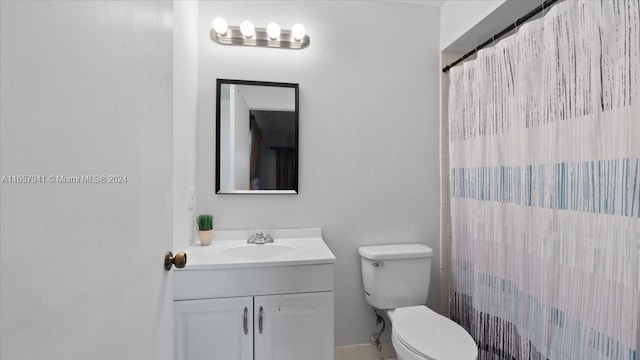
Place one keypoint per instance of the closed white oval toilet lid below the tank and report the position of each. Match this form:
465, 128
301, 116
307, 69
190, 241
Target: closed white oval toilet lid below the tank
432, 335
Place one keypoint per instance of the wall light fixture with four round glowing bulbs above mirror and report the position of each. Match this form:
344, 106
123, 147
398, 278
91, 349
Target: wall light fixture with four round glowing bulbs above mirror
248, 35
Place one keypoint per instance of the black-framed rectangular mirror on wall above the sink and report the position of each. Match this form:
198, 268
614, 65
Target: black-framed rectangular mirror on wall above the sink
256, 137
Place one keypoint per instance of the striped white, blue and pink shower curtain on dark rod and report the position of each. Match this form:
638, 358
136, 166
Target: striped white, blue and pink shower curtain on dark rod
544, 143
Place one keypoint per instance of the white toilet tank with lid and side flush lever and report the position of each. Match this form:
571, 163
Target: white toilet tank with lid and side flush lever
397, 275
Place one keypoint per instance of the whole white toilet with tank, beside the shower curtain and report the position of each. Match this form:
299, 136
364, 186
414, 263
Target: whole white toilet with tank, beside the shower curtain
396, 280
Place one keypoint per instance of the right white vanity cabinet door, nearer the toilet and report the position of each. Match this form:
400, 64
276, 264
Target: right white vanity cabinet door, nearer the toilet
294, 326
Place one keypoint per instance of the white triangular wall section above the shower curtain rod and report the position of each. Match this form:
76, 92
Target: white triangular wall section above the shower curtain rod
459, 16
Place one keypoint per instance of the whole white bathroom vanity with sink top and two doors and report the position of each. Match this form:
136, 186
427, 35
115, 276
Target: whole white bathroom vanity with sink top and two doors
240, 301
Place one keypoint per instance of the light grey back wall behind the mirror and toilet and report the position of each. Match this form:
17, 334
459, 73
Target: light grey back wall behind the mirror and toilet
369, 170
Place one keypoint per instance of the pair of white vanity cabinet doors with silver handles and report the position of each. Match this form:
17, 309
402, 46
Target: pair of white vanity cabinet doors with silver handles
281, 327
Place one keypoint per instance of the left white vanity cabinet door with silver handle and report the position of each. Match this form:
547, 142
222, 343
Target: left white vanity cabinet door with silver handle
214, 329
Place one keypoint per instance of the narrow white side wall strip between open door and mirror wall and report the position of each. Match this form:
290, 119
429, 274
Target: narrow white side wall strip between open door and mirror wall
185, 97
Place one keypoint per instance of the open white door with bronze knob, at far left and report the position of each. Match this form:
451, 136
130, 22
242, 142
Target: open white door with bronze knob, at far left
85, 89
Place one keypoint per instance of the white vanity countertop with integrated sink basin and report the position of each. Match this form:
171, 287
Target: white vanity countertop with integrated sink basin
229, 249
